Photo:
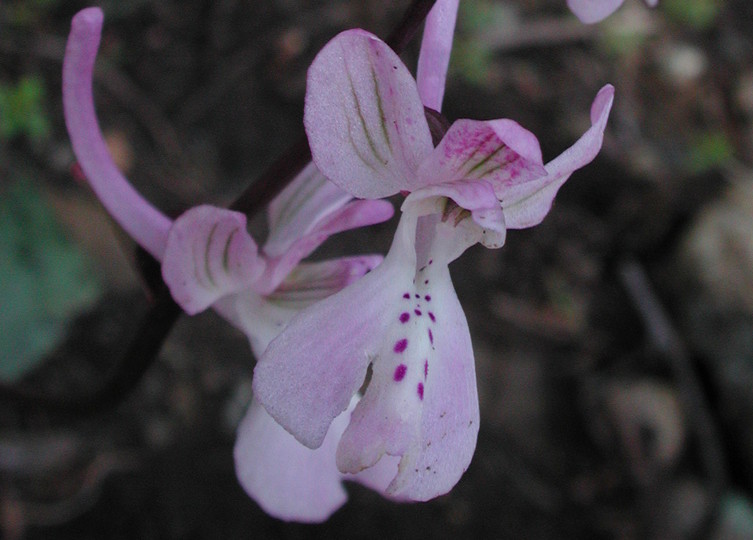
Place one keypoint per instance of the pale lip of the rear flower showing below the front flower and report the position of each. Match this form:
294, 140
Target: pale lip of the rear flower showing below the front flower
288, 480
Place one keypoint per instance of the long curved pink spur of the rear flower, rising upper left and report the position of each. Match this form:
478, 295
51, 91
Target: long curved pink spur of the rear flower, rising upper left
144, 223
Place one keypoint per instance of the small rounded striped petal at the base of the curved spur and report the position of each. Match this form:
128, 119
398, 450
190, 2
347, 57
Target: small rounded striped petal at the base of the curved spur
209, 254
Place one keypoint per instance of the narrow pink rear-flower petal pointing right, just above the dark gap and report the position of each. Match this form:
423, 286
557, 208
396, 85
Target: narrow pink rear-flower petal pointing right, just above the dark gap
351, 216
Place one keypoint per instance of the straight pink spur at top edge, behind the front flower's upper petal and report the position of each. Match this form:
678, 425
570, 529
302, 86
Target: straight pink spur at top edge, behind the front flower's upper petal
434, 57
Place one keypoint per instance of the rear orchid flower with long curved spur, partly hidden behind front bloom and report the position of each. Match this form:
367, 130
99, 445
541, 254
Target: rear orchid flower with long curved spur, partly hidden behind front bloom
209, 259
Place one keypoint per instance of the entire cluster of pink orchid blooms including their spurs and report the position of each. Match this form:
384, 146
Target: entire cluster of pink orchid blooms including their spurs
316, 328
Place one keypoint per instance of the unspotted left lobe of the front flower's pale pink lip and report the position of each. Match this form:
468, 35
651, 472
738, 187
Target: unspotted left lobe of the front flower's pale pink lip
309, 373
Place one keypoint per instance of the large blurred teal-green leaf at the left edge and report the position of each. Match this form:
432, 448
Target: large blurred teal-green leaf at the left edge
44, 280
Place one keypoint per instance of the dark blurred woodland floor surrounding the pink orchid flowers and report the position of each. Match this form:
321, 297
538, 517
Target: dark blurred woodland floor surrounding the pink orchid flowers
614, 342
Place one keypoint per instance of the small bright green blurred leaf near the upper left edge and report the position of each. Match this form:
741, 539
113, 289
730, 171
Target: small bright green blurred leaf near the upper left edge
22, 110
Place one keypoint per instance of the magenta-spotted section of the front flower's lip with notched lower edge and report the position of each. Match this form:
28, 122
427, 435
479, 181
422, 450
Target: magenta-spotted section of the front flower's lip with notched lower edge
421, 403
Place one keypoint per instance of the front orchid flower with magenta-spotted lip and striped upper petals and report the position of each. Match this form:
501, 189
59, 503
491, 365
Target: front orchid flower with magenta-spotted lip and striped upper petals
366, 127
